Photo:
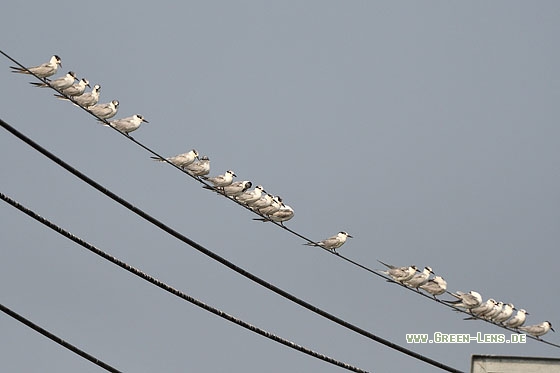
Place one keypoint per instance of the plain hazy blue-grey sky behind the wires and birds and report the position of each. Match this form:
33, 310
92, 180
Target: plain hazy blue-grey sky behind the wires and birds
428, 130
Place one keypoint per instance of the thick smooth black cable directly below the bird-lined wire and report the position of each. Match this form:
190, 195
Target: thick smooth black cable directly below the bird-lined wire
215, 256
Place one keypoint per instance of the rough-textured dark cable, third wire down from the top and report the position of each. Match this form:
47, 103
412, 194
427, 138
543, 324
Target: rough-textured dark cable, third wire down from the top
174, 291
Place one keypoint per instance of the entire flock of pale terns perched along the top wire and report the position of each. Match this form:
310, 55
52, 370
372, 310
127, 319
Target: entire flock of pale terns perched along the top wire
271, 207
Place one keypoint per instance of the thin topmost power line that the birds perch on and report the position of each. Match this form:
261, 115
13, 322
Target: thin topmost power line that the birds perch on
359, 265
